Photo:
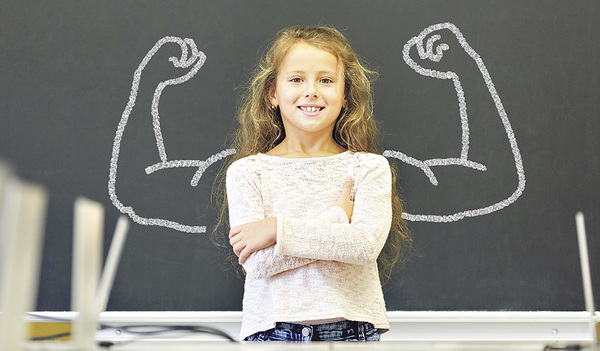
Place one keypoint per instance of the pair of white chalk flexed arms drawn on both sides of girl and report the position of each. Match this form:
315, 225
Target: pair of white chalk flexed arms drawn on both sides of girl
429, 52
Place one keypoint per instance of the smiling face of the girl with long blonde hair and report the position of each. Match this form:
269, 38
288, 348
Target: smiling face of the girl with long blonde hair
309, 91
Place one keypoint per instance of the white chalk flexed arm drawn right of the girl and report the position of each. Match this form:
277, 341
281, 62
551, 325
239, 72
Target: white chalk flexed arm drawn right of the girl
435, 52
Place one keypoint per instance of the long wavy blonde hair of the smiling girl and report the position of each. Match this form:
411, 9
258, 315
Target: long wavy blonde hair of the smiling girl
261, 128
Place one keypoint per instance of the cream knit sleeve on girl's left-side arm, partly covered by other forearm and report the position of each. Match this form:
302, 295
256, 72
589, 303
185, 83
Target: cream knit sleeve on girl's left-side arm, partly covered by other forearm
246, 205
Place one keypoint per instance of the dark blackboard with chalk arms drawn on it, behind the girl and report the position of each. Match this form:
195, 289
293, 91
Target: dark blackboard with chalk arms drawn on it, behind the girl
496, 233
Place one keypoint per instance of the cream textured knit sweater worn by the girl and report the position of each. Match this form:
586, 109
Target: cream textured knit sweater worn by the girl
322, 267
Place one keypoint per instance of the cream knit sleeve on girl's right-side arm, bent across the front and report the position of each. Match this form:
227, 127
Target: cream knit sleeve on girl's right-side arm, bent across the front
358, 242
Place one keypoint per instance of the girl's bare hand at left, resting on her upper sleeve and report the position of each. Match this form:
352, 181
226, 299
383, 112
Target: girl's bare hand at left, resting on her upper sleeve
248, 238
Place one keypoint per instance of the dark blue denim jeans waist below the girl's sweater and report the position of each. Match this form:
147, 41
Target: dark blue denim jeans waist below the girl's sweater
336, 331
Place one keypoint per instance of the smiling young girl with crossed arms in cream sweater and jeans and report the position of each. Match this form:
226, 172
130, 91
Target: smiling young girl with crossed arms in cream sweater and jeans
311, 202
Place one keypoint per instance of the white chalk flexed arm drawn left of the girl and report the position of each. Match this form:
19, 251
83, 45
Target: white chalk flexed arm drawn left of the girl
194, 61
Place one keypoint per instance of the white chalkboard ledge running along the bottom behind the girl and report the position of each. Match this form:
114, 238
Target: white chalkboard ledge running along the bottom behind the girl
484, 326
